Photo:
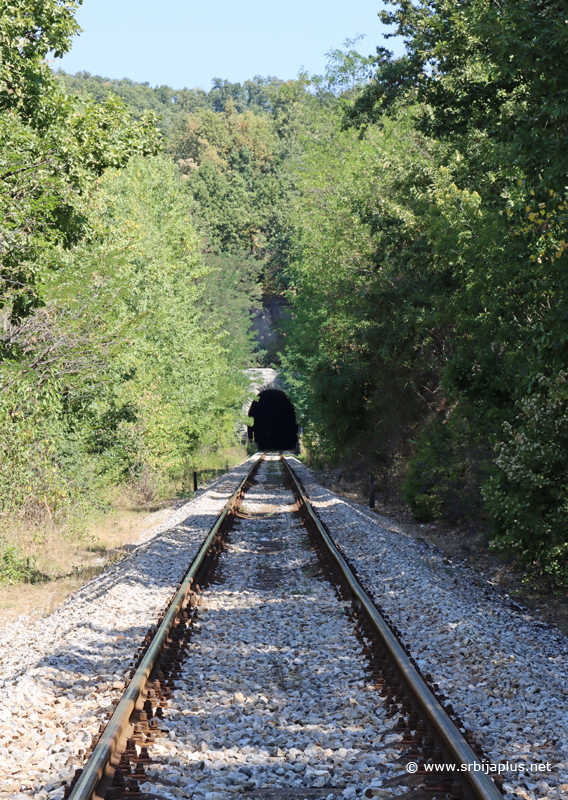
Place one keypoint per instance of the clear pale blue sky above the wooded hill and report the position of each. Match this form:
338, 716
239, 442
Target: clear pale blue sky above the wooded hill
188, 43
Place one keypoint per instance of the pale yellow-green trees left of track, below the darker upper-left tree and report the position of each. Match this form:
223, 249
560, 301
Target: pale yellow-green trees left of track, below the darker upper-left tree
121, 375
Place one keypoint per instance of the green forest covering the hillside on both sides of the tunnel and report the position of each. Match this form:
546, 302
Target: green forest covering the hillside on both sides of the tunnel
412, 210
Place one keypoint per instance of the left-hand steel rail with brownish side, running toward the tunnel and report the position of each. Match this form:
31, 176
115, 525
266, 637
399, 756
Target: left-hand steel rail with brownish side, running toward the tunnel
94, 769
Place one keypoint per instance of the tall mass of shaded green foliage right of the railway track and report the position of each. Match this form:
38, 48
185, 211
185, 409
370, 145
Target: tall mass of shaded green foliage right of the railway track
430, 296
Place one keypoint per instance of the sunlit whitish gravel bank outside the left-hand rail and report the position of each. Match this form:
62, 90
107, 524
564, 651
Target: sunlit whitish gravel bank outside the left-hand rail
59, 674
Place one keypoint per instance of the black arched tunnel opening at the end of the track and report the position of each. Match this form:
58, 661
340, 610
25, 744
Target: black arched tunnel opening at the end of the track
274, 421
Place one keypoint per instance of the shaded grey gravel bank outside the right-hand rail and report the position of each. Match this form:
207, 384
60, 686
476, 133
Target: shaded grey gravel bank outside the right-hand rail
505, 673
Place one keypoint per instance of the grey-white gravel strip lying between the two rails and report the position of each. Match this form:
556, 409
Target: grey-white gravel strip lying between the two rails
274, 693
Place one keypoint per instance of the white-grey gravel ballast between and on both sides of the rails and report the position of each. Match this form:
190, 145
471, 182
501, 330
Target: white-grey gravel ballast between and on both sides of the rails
274, 695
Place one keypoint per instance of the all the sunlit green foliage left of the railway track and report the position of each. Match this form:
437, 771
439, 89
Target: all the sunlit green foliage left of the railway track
116, 365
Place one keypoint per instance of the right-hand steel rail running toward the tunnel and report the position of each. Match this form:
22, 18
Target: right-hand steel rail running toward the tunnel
479, 782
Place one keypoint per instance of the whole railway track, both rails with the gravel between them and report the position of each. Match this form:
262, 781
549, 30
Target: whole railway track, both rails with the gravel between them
272, 674
